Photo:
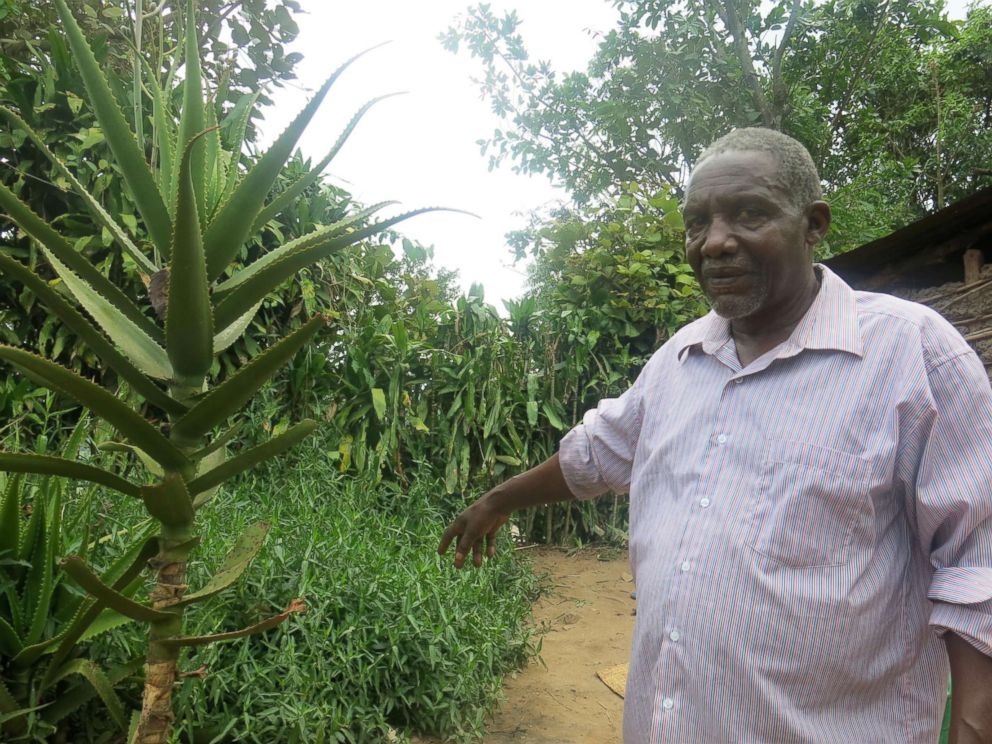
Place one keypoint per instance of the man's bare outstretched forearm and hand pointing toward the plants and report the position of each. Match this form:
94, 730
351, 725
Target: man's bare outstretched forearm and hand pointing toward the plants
543, 484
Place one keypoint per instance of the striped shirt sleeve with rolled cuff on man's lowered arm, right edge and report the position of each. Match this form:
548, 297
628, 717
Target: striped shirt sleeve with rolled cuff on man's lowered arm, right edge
954, 499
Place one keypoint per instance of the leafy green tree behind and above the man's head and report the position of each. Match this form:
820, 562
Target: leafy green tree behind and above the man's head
881, 91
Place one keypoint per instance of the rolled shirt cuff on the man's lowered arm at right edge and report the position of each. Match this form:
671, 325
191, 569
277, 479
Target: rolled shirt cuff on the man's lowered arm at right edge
963, 604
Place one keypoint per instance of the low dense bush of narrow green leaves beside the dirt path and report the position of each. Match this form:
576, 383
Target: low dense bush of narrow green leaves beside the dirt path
393, 639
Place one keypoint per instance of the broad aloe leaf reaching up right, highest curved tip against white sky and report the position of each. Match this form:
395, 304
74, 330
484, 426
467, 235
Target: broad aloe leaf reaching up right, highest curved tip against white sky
231, 226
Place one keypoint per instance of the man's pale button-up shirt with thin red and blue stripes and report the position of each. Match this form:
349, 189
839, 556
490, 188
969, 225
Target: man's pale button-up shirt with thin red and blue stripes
803, 529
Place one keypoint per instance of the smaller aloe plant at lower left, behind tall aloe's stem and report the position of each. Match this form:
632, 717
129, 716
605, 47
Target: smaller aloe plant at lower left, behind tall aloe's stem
42, 623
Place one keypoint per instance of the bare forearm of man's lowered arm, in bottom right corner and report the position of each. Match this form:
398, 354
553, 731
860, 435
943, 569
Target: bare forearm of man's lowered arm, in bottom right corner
971, 696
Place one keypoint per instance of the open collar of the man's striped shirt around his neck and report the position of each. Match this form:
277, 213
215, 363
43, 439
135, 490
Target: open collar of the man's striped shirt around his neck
830, 323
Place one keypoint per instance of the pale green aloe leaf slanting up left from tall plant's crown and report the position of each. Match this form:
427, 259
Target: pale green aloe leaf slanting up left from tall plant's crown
132, 341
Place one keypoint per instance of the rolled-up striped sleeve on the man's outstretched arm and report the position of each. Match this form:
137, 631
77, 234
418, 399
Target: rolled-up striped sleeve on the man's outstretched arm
598, 455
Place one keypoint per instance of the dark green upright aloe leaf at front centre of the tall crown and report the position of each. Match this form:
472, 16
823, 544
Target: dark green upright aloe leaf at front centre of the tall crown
189, 321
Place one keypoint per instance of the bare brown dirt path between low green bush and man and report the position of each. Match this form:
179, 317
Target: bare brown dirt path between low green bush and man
586, 625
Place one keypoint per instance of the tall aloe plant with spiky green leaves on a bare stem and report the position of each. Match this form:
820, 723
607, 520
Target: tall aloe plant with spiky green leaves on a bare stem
198, 210
